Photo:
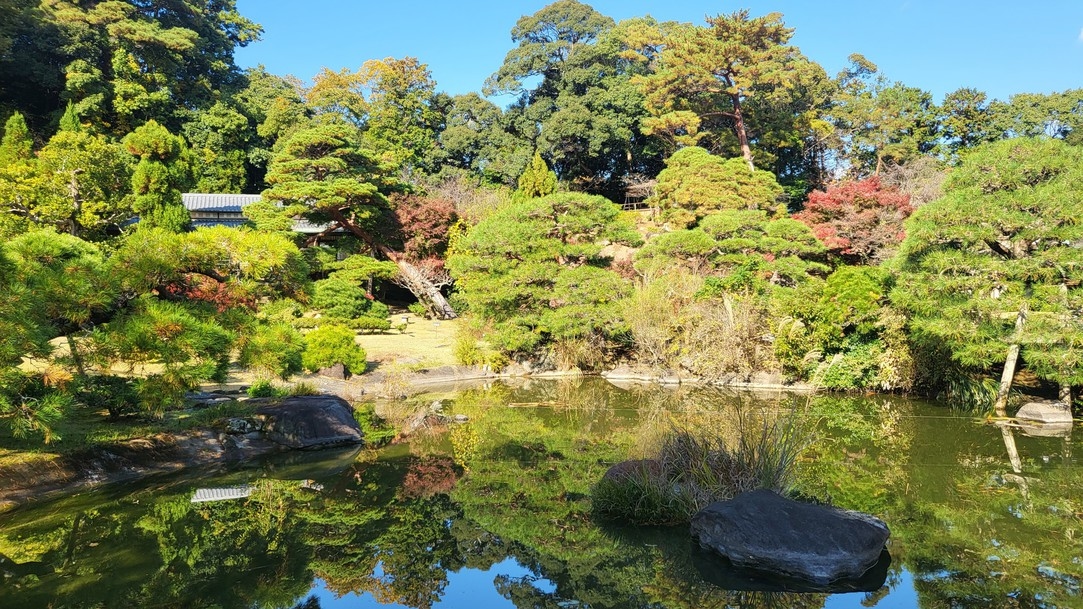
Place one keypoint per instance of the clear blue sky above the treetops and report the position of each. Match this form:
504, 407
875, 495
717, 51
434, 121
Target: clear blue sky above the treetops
997, 46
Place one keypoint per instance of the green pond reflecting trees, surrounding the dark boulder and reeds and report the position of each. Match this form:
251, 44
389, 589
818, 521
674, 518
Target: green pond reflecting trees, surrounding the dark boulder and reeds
497, 513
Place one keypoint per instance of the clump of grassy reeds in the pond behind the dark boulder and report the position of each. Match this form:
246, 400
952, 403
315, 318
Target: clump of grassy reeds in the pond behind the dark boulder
695, 469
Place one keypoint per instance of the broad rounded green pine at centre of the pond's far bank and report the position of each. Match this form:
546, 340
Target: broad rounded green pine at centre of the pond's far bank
534, 270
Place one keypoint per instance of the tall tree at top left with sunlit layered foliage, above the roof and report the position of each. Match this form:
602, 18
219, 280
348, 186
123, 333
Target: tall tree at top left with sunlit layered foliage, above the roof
126, 63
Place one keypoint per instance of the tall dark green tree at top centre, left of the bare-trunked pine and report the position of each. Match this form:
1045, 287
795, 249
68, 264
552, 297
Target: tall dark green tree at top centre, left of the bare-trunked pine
578, 107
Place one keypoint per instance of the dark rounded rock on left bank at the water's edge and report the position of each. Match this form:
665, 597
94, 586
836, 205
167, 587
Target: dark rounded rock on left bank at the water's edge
309, 422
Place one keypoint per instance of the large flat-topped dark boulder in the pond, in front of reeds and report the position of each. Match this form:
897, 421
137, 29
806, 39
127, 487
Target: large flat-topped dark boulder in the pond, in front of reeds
764, 532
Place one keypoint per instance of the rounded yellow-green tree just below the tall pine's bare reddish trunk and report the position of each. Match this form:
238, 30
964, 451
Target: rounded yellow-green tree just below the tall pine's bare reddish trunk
697, 184
